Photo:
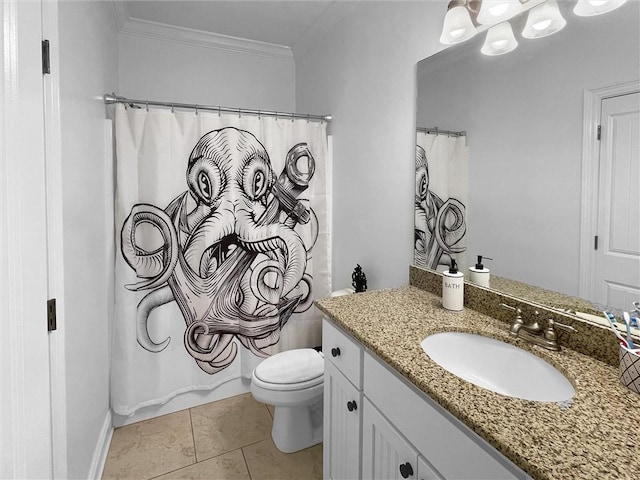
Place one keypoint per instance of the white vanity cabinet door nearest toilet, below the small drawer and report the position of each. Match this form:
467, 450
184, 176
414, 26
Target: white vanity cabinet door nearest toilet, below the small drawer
342, 421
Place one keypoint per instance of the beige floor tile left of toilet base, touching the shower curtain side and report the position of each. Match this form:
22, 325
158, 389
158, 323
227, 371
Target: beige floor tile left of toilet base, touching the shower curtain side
229, 424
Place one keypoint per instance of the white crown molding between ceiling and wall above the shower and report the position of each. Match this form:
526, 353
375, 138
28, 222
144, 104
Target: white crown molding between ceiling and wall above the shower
128, 25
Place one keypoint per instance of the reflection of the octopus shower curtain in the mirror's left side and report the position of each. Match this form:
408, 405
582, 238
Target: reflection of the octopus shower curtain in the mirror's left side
440, 201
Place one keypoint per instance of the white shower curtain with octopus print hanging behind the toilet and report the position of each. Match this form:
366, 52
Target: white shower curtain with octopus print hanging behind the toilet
223, 243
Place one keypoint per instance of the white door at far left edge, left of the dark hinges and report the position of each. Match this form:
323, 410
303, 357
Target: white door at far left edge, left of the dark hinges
25, 415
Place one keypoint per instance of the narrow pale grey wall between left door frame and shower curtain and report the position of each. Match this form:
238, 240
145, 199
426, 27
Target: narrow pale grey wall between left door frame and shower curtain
88, 68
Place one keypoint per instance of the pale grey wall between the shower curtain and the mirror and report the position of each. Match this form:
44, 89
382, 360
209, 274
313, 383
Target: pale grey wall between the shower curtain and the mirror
359, 65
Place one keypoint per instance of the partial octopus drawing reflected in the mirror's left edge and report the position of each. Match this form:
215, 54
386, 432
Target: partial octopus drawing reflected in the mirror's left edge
439, 225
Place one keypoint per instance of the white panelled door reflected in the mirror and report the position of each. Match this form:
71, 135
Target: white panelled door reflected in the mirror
617, 263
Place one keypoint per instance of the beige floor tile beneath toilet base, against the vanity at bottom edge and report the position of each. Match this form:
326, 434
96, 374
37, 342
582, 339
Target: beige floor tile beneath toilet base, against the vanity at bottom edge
265, 461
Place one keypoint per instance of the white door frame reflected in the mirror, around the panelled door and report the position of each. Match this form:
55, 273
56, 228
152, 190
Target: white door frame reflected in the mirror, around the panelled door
592, 109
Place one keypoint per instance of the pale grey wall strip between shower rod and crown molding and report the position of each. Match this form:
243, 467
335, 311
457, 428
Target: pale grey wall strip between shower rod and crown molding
158, 69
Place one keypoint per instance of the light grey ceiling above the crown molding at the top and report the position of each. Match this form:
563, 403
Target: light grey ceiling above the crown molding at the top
277, 22
